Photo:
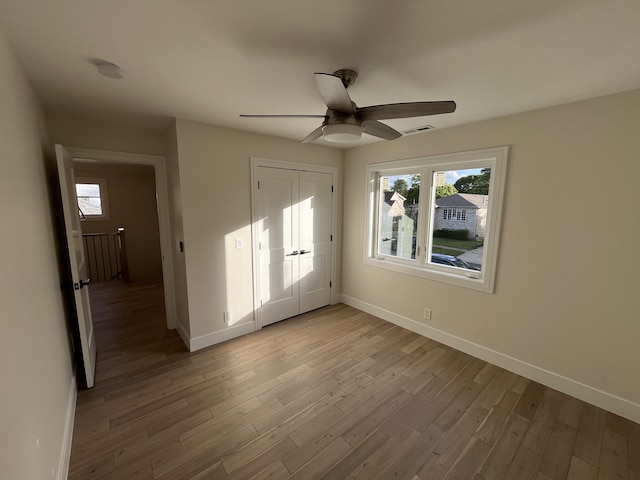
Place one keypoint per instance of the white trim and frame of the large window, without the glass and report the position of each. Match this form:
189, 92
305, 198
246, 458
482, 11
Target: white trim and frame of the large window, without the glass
496, 158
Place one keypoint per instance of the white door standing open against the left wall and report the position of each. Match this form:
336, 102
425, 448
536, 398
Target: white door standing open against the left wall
76, 259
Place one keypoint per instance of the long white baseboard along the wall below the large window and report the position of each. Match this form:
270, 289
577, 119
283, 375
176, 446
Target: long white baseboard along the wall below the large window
599, 398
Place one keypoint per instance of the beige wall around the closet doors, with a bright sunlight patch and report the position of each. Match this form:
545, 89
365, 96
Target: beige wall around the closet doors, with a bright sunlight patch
215, 173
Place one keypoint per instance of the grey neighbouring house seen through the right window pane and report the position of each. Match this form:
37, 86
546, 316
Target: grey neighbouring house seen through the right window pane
462, 211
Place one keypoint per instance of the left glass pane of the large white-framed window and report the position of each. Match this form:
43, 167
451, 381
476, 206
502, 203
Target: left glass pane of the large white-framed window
398, 215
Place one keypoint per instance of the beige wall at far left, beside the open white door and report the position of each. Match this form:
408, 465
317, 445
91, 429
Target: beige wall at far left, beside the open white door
38, 388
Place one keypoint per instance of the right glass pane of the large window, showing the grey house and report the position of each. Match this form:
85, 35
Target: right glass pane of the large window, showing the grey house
460, 217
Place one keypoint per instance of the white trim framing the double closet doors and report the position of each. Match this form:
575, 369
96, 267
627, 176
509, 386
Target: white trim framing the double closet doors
257, 162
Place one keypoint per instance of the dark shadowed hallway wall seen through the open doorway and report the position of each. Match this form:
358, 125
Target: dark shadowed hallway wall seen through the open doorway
132, 204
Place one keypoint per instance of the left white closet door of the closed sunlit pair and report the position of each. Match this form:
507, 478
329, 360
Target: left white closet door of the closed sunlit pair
277, 218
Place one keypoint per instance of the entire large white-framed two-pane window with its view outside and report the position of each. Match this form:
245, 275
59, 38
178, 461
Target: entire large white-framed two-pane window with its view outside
437, 217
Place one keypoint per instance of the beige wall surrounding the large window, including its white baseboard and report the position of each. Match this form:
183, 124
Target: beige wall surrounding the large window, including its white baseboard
565, 304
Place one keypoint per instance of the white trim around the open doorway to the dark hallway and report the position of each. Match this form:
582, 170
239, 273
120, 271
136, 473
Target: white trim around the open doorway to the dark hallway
162, 192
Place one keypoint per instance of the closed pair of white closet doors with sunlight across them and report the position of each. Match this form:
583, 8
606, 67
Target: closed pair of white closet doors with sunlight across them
293, 210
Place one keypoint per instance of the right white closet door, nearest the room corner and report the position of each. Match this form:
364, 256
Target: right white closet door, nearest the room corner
315, 240
